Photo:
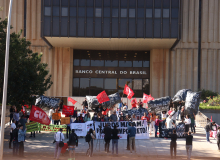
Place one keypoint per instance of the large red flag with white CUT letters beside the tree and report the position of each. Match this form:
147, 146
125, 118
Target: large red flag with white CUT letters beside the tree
38, 115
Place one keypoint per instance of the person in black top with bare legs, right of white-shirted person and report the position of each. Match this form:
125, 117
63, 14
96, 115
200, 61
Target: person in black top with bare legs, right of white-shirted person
73, 143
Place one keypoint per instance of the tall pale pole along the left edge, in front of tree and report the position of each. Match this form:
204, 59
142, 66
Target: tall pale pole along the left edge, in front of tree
4, 98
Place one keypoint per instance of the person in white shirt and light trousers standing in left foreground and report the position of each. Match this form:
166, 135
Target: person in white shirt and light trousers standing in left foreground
58, 137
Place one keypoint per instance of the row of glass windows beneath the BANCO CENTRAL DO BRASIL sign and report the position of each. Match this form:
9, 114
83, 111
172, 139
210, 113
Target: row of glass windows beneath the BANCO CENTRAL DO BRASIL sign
93, 86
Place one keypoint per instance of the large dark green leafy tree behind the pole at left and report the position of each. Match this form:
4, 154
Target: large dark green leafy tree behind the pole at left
27, 76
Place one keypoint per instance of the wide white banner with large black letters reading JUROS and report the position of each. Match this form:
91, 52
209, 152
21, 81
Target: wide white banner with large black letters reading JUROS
141, 129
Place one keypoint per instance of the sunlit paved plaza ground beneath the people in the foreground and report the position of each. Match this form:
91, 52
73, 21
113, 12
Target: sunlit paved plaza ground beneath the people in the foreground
41, 147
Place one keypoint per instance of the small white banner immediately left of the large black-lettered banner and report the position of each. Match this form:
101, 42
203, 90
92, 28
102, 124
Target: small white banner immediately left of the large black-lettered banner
81, 129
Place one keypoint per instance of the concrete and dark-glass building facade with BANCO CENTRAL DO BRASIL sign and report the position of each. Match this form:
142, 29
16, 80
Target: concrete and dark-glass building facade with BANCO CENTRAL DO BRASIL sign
95, 45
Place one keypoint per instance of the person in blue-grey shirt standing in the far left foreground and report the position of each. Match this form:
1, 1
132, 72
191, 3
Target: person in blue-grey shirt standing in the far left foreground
21, 139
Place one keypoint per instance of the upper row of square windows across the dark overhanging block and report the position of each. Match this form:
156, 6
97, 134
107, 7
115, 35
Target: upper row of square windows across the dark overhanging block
115, 12
